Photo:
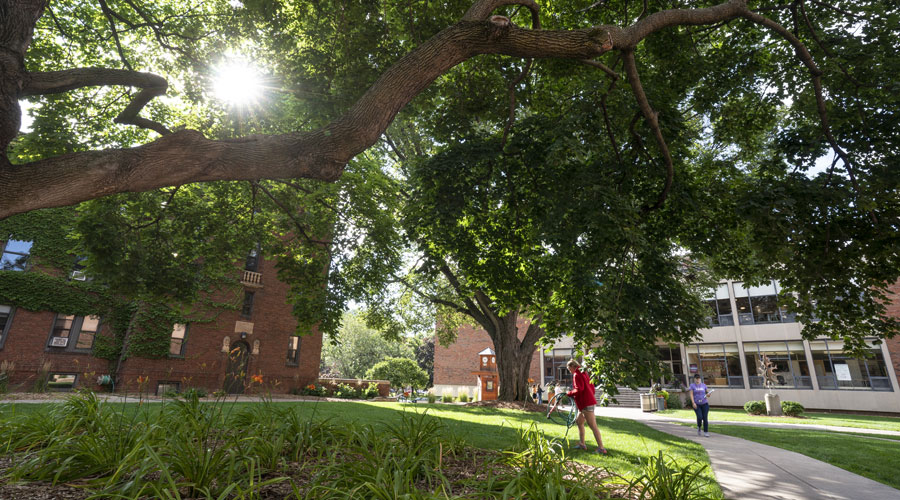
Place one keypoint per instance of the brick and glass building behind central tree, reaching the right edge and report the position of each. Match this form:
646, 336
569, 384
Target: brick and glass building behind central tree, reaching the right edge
746, 322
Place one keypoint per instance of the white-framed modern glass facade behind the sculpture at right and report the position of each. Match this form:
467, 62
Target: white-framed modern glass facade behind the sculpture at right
747, 322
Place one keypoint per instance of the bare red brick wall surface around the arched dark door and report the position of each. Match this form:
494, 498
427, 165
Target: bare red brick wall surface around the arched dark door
203, 364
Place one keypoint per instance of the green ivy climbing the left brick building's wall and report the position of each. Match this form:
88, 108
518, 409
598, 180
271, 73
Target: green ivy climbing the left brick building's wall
46, 287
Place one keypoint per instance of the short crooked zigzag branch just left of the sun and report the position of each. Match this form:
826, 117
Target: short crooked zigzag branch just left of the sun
54, 82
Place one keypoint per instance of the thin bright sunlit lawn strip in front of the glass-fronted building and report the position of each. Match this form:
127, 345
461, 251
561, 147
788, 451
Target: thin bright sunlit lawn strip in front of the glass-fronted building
833, 419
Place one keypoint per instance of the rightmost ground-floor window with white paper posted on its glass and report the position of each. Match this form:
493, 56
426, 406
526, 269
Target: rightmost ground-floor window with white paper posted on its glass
837, 370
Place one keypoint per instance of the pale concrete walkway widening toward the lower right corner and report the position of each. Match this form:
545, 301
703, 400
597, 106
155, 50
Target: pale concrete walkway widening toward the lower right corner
749, 471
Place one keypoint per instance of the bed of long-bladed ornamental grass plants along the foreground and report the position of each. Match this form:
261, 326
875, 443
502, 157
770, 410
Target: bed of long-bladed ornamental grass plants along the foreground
187, 448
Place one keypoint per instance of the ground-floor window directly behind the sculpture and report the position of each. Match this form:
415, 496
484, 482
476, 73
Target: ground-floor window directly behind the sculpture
789, 364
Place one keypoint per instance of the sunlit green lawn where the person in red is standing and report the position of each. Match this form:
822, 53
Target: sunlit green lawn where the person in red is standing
628, 442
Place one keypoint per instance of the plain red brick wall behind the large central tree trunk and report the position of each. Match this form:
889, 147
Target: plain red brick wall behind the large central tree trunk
454, 365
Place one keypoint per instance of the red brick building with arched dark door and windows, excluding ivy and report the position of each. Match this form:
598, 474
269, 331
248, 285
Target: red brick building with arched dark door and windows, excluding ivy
258, 338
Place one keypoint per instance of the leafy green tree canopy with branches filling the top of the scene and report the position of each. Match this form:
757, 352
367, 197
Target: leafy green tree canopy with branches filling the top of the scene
588, 165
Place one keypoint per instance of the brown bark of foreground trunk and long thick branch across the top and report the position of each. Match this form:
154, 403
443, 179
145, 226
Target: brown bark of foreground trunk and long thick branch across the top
187, 156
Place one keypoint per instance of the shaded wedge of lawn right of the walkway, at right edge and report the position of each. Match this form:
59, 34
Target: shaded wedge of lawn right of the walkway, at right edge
871, 458
